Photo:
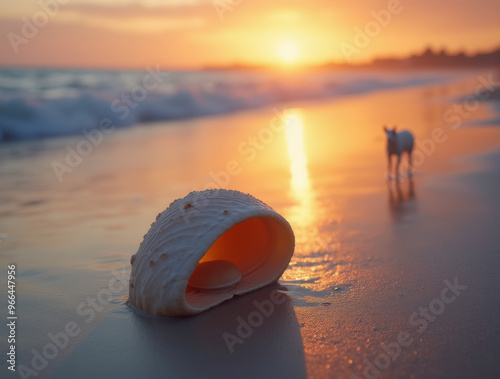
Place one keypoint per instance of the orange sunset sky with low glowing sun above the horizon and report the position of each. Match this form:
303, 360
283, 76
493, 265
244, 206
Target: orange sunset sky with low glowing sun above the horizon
195, 33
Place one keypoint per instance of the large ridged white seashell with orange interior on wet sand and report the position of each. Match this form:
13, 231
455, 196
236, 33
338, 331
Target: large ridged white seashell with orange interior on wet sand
205, 249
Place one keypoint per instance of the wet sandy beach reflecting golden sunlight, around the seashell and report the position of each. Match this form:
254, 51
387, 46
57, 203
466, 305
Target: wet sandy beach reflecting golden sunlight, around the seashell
388, 279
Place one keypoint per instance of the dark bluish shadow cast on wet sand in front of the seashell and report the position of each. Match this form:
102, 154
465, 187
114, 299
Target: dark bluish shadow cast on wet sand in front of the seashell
210, 345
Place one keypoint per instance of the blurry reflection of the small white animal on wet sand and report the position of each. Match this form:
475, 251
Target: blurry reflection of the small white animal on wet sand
402, 199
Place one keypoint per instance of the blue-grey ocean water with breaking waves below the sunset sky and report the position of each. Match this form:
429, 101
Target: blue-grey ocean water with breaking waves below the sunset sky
40, 103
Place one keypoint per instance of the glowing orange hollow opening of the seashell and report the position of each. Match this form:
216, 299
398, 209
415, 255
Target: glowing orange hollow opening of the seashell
260, 248
